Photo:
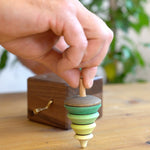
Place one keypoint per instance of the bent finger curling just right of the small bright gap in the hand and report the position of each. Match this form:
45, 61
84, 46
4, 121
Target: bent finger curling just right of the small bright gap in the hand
74, 36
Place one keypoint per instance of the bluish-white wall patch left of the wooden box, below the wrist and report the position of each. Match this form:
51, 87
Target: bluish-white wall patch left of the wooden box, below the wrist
14, 77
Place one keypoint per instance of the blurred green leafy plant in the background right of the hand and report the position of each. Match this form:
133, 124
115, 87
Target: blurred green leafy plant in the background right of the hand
121, 15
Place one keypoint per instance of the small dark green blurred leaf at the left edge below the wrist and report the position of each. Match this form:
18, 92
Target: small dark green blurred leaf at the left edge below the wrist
3, 59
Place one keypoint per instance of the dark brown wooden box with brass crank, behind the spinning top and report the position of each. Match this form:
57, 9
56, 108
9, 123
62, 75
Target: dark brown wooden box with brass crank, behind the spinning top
43, 88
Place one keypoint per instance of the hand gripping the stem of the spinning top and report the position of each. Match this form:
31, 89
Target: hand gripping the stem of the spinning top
57, 35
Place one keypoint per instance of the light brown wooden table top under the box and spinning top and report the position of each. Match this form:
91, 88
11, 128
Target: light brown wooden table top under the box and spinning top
125, 124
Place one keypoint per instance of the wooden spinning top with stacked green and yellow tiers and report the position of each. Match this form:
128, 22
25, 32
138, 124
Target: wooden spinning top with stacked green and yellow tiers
83, 111
